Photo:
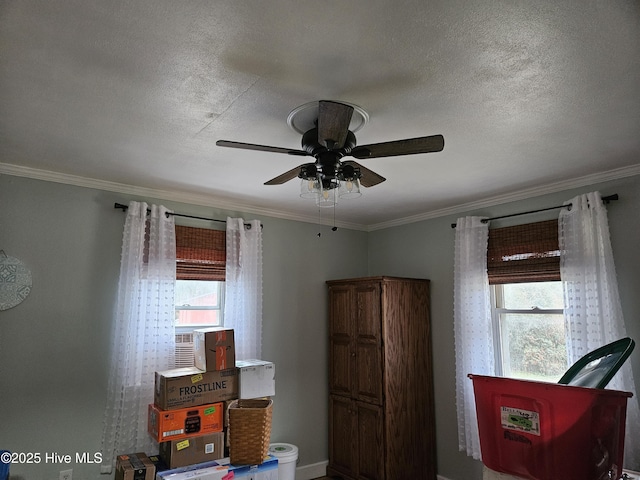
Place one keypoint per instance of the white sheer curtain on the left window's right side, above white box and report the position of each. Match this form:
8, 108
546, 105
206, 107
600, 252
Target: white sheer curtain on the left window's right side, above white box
243, 286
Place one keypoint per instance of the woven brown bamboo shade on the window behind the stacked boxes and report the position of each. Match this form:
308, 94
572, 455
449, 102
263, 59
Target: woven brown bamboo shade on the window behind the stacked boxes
201, 253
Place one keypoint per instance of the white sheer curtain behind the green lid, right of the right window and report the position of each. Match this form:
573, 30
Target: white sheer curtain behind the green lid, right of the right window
593, 313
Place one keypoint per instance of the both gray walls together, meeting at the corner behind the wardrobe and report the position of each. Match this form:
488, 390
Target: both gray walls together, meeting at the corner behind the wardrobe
54, 346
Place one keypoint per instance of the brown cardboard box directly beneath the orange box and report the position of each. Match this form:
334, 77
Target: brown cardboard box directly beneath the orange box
180, 453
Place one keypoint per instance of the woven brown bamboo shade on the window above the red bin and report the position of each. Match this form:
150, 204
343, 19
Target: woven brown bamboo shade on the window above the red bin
524, 253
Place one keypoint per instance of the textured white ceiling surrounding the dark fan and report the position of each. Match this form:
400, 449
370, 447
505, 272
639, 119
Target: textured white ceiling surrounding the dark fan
529, 95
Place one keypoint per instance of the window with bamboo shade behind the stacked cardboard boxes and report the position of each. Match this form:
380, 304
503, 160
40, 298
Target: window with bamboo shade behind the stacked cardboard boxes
199, 292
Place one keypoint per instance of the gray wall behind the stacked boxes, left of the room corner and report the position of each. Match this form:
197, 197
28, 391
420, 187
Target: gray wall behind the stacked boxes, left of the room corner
54, 345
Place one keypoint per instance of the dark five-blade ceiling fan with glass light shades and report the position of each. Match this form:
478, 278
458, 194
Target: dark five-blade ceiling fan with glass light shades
329, 140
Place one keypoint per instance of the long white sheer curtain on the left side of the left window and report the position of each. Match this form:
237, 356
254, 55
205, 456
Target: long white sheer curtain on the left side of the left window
143, 339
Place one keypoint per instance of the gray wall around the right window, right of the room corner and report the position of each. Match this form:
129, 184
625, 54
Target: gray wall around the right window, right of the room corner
425, 249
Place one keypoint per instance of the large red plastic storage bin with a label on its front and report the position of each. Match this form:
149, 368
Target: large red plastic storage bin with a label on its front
548, 431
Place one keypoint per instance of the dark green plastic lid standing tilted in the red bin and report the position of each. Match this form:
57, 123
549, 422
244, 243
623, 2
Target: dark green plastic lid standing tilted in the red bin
598, 367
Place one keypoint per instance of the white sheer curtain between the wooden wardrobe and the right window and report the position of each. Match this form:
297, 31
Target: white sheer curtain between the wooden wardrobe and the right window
472, 324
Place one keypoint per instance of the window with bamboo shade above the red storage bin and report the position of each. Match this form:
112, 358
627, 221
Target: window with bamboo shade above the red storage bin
524, 270
